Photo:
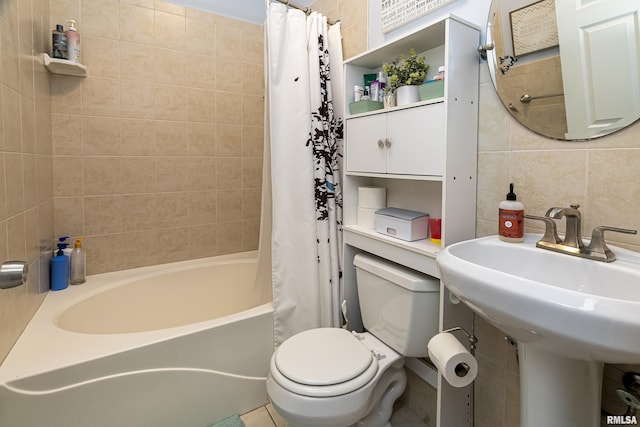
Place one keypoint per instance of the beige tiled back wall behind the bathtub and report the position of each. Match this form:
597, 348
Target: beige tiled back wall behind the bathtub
157, 154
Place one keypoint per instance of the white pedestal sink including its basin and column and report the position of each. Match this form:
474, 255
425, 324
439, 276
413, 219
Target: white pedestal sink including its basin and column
570, 315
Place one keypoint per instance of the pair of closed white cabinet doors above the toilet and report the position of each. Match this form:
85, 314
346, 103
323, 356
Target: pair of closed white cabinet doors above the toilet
404, 142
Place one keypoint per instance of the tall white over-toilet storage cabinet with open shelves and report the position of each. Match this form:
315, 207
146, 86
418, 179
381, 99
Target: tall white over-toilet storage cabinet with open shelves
425, 155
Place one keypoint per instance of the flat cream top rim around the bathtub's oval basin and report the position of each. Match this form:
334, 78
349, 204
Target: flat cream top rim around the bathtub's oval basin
32, 355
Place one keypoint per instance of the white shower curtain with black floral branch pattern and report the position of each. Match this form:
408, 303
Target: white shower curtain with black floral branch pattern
304, 145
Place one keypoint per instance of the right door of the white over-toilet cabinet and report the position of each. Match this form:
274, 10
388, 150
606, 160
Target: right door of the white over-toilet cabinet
416, 137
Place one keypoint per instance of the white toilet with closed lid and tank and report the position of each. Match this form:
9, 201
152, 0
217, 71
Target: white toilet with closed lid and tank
335, 378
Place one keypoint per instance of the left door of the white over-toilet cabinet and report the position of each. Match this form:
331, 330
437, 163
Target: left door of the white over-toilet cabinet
364, 144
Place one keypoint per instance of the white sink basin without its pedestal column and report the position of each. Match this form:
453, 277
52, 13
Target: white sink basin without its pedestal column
570, 306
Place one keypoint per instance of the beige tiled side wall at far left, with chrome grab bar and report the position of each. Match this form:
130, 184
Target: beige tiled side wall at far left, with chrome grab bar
26, 205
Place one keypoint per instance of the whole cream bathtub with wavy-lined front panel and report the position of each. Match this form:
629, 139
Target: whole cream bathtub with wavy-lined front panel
178, 345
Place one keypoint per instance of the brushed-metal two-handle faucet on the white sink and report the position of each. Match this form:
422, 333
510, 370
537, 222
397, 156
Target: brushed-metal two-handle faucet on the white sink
572, 243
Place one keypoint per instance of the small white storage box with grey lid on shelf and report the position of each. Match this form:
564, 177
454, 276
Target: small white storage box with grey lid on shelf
402, 223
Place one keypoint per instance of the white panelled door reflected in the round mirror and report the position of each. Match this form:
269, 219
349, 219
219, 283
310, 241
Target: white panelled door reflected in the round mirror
600, 54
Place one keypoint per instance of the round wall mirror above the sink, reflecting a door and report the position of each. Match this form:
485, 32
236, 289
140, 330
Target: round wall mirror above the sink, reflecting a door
564, 69
